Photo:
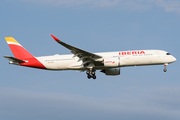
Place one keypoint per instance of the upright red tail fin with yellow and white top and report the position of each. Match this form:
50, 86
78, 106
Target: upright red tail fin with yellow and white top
18, 50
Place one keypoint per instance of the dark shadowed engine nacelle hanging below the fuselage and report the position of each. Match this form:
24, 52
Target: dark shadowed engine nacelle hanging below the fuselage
111, 71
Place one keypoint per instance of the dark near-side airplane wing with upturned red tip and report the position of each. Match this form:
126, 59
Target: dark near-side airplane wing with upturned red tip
83, 55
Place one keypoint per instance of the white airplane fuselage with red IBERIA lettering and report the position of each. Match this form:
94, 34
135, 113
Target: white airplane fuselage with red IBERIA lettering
126, 58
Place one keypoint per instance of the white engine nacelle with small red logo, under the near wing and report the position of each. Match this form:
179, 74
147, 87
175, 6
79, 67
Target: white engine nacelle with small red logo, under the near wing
112, 62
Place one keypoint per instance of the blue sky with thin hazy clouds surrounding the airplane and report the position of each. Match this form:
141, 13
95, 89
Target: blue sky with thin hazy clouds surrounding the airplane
139, 93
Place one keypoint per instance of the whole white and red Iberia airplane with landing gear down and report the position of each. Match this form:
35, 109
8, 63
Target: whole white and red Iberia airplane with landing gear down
108, 62
